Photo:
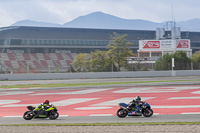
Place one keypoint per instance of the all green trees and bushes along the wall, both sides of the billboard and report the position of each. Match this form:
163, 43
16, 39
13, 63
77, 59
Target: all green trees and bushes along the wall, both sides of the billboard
119, 50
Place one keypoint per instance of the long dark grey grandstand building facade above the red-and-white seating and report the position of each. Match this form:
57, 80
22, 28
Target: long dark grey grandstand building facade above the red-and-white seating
75, 40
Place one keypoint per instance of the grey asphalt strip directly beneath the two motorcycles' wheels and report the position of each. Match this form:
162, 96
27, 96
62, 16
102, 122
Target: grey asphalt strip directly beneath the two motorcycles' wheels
104, 119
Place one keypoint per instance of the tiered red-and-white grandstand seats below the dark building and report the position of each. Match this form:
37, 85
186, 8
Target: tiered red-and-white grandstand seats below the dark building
19, 62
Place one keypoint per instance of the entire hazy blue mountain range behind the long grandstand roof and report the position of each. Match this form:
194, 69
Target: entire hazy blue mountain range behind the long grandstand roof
102, 20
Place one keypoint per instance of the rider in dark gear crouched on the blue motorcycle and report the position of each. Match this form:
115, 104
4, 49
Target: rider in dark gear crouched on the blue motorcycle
134, 105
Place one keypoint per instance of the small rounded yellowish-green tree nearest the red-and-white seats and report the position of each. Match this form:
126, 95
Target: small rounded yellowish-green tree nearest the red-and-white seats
81, 63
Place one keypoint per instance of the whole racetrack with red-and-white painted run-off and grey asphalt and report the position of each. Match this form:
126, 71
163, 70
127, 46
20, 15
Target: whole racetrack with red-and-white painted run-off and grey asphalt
170, 102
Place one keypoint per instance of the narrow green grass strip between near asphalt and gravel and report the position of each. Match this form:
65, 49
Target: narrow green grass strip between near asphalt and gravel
106, 124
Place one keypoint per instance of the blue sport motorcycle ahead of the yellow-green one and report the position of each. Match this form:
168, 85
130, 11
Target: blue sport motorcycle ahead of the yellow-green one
144, 109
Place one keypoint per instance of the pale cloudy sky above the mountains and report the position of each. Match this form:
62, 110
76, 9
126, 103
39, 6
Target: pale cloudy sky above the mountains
62, 11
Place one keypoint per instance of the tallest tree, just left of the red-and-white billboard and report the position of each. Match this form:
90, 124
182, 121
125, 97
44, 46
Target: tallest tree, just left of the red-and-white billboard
119, 50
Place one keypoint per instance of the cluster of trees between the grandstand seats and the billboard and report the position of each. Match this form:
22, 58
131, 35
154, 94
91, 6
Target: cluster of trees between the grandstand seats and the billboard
114, 59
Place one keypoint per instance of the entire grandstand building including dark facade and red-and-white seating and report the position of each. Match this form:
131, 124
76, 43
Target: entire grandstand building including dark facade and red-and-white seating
46, 49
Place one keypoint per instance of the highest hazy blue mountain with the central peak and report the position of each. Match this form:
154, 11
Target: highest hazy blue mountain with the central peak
102, 20
